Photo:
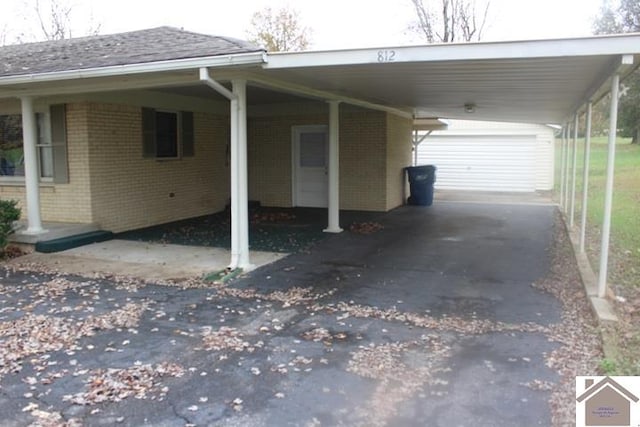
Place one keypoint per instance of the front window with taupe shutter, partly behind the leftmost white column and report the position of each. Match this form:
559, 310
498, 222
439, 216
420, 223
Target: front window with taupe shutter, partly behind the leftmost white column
51, 145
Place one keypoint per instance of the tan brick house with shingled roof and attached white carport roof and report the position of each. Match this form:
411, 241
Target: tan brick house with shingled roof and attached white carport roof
135, 129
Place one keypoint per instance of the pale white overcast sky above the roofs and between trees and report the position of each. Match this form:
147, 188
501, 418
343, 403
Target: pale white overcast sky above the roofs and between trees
335, 24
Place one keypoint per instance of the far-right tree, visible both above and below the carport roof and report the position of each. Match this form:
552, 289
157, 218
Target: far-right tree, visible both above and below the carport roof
624, 17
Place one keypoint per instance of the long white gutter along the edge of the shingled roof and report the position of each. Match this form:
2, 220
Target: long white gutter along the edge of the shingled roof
222, 61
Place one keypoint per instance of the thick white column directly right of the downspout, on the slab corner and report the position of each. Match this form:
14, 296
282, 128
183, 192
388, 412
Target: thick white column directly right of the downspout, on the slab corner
244, 261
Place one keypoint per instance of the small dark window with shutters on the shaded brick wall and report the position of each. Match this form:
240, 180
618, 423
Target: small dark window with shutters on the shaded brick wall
167, 134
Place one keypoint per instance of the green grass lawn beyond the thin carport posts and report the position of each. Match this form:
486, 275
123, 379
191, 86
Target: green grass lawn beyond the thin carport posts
624, 255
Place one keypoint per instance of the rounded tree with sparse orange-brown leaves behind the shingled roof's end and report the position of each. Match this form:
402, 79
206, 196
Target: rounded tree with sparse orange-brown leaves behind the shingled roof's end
279, 31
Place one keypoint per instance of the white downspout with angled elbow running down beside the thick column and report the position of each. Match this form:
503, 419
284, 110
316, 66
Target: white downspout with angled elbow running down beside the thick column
235, 185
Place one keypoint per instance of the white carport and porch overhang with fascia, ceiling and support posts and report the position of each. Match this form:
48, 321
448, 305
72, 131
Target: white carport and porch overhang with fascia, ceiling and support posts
547, 82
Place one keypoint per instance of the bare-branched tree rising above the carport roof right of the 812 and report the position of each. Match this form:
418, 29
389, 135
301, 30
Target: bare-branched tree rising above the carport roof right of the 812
448, 21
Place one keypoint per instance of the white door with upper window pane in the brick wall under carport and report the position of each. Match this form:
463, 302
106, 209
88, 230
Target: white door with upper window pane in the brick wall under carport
310, 158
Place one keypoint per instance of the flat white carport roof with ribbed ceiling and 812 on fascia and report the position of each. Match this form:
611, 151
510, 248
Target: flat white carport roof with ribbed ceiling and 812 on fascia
534, 81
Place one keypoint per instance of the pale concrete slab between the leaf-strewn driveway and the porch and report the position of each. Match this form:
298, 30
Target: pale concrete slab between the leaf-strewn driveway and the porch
150, 261
